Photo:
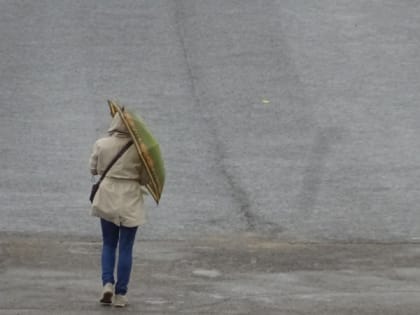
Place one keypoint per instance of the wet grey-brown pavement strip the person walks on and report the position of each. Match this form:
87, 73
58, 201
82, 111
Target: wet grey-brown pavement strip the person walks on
236, 274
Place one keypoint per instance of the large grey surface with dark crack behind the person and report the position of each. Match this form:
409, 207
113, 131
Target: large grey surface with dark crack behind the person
297, 119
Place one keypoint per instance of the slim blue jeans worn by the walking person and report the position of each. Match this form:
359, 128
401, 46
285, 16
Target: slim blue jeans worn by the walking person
111, 236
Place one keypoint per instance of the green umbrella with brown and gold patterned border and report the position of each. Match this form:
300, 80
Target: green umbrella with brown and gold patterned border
147, 148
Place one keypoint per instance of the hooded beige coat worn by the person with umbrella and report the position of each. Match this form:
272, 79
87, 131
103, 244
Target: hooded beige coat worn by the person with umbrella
119, 198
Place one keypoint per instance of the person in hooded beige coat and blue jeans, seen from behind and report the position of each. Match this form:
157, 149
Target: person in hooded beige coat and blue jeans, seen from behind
119, 204
